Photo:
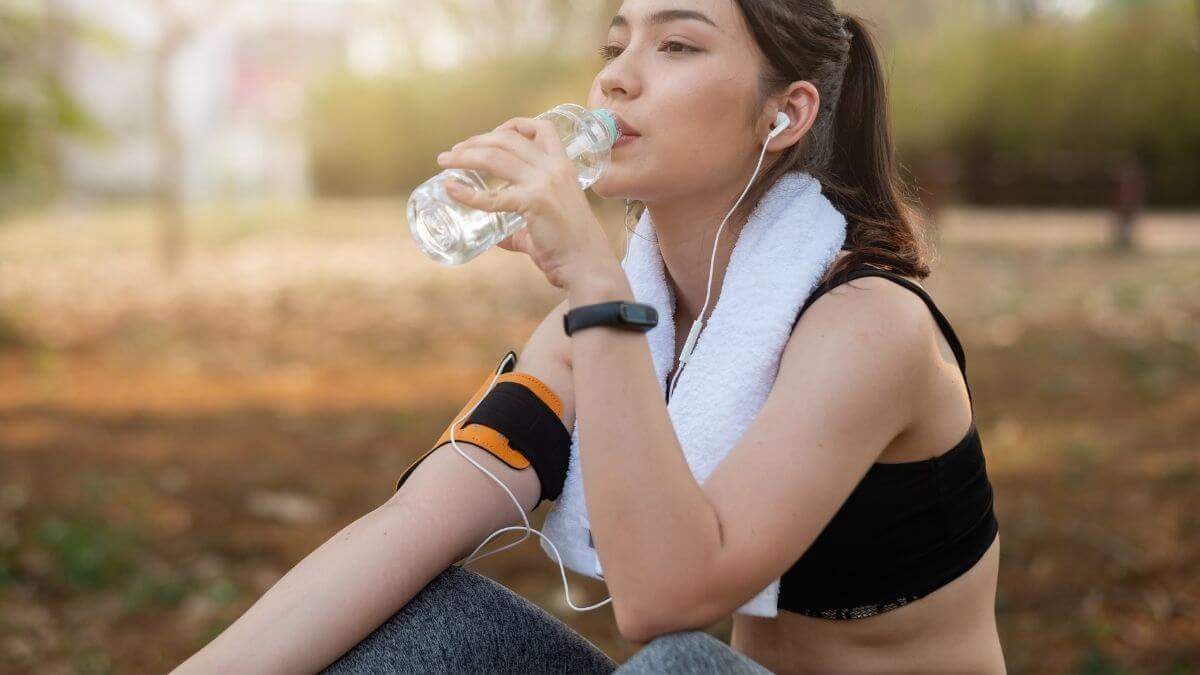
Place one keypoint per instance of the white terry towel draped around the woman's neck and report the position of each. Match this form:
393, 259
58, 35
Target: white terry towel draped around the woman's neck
785, 249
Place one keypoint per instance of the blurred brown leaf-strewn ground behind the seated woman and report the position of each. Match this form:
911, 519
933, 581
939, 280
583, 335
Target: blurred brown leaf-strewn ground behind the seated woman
171, 447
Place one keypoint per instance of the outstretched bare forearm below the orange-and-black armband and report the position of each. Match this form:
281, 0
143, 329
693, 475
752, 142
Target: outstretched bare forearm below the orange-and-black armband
334, 598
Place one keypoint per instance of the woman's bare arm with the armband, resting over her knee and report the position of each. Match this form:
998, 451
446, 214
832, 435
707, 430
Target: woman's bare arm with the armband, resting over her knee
350, 586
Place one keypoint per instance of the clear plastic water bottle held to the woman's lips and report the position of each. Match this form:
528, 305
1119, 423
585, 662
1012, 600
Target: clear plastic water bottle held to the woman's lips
453, 234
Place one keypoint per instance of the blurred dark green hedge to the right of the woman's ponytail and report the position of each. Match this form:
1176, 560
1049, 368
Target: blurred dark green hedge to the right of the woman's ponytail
1041, 112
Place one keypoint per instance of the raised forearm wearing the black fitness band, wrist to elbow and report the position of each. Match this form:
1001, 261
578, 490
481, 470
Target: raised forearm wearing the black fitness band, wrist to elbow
656, 528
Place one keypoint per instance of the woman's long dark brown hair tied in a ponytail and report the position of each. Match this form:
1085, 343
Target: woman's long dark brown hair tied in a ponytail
849, 148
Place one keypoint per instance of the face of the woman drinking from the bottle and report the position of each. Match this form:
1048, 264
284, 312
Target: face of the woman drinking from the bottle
687, 87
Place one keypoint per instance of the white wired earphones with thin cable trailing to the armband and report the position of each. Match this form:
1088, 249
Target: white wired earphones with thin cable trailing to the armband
783, 122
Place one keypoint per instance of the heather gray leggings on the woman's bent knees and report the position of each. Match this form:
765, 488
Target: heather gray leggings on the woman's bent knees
466, 623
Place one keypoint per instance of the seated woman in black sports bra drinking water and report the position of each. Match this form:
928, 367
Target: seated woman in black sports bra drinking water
881, 510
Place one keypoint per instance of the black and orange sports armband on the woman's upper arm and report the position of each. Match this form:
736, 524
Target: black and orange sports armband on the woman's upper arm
520, 422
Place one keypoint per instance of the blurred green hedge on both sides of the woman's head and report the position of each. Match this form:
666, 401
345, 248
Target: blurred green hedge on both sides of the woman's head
1031, 112
